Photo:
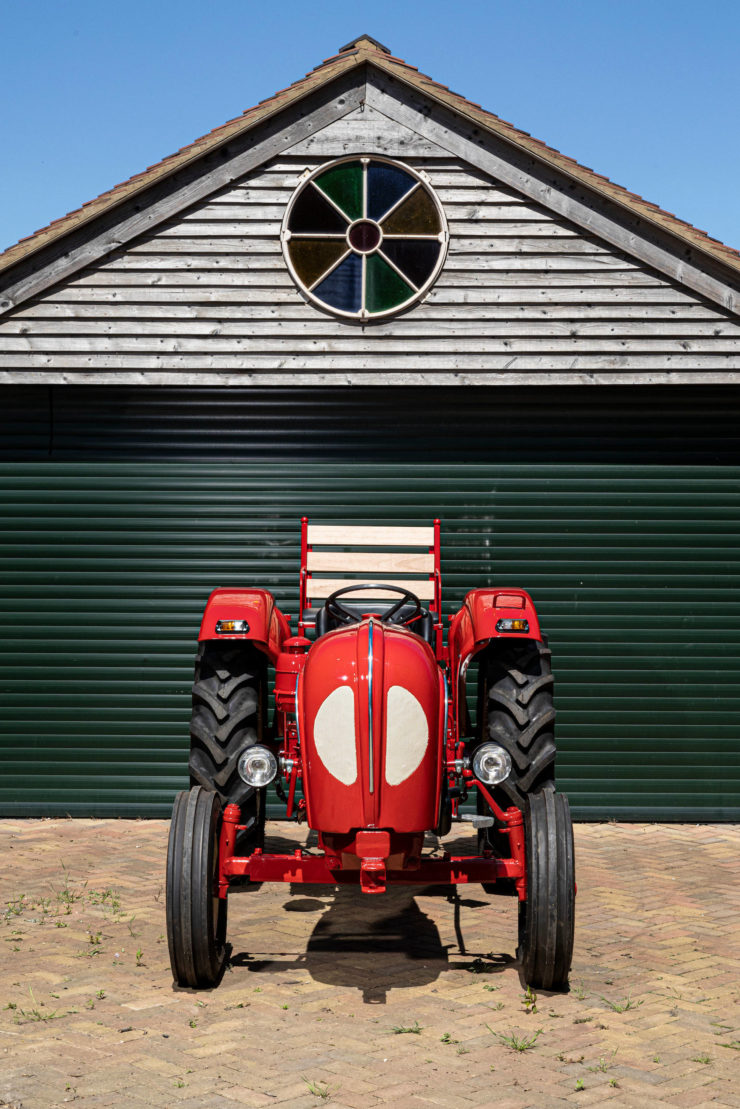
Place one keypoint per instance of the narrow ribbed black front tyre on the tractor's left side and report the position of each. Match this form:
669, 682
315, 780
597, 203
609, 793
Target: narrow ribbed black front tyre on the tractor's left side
197, 917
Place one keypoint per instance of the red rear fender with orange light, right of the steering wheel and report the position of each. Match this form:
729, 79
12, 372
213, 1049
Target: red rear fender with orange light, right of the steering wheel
475, 625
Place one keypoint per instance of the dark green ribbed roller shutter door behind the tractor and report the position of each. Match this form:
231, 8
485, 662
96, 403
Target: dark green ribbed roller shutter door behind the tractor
617, 510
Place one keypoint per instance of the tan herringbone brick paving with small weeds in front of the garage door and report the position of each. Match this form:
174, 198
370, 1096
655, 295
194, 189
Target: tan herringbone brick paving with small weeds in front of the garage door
322, 980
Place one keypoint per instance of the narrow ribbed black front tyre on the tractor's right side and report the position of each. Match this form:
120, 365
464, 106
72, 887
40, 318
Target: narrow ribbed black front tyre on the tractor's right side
548, 917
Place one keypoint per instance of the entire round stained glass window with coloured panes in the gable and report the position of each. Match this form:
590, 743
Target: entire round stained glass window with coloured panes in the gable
364, 238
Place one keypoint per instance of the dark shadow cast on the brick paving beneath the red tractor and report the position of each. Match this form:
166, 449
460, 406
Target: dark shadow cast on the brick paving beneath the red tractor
376, 944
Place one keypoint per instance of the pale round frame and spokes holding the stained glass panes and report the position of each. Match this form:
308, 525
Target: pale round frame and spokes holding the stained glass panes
363, 317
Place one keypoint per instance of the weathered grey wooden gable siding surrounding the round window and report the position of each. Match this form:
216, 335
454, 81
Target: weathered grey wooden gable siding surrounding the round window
521, 292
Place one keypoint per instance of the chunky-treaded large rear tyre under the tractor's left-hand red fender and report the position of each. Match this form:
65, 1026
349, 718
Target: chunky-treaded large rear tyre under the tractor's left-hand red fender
230, 694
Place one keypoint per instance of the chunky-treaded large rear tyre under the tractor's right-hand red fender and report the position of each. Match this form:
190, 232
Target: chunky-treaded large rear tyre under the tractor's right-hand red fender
515, 710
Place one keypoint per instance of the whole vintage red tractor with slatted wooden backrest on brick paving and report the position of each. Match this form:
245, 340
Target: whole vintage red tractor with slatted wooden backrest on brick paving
372, 745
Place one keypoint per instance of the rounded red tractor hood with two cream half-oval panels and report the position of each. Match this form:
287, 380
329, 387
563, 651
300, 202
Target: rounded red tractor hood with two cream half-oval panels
371, 717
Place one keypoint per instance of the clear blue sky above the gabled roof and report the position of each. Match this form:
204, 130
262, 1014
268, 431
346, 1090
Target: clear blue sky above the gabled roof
644, 91
